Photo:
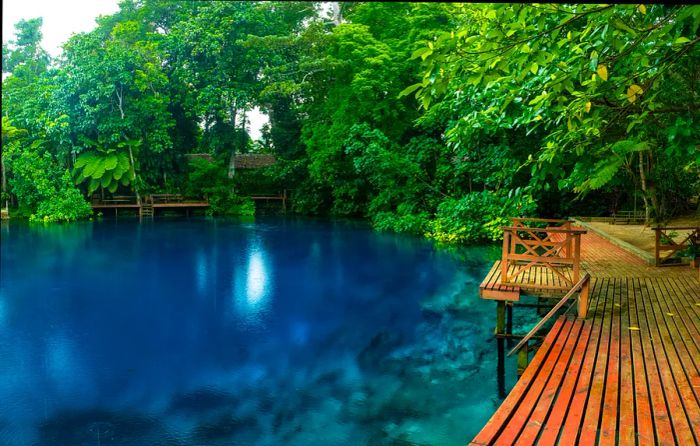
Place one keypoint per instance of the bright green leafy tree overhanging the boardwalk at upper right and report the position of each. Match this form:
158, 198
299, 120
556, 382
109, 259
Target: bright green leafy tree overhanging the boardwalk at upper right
589, 78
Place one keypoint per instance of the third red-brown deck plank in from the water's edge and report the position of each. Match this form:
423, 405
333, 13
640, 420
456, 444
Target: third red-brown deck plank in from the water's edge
560, 369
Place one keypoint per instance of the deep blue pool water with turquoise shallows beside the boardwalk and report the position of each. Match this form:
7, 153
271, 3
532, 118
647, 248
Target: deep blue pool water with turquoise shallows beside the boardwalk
226, 332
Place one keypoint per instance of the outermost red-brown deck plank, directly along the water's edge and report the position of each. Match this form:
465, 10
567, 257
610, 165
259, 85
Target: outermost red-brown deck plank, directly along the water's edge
493, 427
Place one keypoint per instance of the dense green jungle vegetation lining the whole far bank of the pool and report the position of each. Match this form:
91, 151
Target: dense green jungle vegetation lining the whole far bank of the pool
432, 118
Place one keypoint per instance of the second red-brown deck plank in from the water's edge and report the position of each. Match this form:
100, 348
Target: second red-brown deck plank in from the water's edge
527, 404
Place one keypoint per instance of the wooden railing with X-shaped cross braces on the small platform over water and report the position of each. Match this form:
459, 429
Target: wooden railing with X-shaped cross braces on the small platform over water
555, 246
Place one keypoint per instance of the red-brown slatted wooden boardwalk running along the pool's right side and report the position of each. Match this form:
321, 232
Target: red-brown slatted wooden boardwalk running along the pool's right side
627, 374
